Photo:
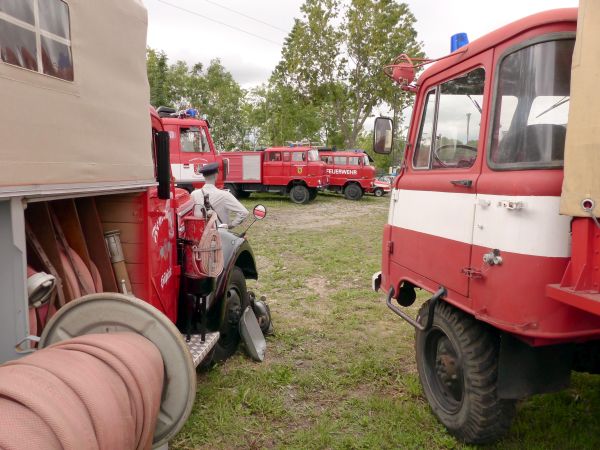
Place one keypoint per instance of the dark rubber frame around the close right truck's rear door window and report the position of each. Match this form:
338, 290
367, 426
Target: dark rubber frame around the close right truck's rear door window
503, 167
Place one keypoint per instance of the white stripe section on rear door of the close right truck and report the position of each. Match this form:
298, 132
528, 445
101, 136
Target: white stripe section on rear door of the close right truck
536, 228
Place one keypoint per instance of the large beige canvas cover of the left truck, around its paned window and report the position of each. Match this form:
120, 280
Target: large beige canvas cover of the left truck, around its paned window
92, 130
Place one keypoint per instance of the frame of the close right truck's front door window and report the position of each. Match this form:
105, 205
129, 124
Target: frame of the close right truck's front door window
436, 91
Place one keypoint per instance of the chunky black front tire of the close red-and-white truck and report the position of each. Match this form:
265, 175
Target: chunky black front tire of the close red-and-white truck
457, 360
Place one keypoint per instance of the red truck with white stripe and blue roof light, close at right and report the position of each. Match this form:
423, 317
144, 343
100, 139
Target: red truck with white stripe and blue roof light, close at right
476, 218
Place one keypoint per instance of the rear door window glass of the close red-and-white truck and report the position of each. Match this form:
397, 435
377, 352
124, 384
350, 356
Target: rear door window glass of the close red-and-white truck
532, 106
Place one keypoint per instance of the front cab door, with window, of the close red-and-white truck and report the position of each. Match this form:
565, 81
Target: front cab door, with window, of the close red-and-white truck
433, 206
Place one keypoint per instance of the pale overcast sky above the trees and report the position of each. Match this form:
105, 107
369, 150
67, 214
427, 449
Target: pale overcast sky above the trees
211, 28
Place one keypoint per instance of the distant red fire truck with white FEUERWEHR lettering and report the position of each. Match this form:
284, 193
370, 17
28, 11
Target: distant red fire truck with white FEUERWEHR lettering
349, 173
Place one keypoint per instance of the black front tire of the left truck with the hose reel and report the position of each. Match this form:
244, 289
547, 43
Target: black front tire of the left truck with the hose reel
235, 303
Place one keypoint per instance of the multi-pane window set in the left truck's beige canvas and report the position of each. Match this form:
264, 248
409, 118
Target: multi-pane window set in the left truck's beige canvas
20, 28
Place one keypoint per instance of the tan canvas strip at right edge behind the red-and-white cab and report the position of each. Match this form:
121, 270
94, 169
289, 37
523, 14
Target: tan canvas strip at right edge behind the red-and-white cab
582, 151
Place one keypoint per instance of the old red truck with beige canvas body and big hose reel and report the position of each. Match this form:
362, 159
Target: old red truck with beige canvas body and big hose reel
95, 238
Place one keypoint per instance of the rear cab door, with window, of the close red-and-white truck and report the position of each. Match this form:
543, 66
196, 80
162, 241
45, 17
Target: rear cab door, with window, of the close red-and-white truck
518, 193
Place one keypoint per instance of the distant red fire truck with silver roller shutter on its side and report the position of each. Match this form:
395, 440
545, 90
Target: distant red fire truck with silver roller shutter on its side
294, 171
